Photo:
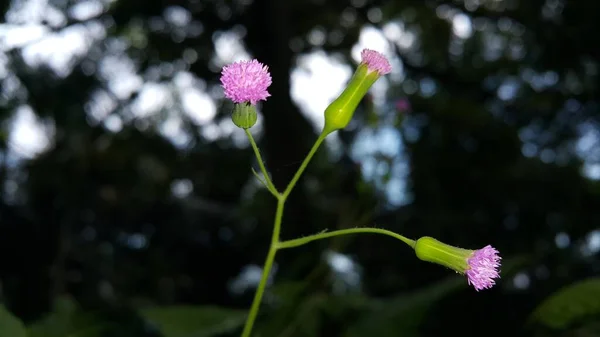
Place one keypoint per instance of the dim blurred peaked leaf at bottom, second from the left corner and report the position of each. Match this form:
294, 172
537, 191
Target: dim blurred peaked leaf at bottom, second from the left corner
66, 320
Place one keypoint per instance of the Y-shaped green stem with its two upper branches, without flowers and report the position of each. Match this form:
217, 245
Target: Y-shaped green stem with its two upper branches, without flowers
281, 198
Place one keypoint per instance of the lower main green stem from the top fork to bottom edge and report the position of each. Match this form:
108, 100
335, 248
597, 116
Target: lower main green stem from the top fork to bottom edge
266, 270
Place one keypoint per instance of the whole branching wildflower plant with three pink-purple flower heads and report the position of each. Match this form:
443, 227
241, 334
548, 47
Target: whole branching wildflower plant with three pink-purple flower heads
247, 82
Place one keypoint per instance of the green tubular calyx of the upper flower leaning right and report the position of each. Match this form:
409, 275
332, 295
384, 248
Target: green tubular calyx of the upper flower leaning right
339, 113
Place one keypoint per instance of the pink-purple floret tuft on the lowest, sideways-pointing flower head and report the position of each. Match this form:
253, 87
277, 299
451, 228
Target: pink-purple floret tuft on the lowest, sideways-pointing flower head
483, 268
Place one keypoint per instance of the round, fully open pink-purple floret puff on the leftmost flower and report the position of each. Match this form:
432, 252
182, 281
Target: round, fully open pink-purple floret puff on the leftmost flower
246, 81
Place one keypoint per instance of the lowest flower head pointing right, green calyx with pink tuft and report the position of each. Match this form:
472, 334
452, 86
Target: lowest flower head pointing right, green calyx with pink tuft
480, 266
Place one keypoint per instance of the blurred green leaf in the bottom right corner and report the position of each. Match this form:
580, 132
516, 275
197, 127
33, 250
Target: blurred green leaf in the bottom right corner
569, 305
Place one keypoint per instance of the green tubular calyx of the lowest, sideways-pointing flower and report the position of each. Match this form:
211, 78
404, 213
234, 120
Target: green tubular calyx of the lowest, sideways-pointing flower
431, 250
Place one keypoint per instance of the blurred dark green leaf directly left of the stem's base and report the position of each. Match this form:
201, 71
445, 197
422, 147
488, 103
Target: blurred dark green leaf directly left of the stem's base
193, 321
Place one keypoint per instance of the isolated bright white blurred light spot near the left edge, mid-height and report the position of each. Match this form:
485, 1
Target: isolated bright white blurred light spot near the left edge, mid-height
29, 136
